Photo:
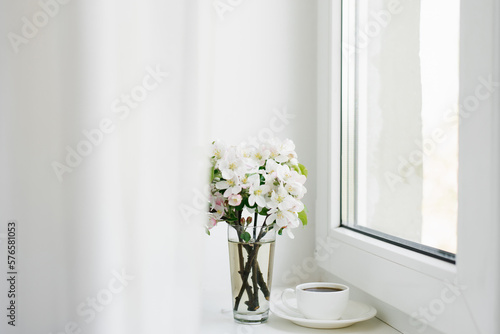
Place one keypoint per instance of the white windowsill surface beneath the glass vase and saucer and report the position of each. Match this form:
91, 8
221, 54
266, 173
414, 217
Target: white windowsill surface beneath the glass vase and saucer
218, 319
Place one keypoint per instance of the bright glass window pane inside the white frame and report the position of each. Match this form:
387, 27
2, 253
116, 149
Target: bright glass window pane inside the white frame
400, 130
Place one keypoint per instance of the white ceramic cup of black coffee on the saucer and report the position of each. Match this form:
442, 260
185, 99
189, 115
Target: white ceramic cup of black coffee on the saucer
318, 300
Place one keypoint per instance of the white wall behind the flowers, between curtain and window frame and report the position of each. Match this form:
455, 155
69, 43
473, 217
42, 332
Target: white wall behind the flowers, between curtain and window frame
265, 60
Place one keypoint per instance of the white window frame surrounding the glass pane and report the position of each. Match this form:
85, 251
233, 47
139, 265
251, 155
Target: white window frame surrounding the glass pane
404, 285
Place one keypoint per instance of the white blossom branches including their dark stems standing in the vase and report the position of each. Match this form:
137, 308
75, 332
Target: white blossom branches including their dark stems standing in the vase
266, 180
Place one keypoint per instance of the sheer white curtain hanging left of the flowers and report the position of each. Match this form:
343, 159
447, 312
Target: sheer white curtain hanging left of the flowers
102, 107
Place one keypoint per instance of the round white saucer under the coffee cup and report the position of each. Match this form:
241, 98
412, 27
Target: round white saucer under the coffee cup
355, 312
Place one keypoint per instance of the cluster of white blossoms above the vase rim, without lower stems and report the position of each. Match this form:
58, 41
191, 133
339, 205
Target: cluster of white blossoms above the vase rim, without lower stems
267, 180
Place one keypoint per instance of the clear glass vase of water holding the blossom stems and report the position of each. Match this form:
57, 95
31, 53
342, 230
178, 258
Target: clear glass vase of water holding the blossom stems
251, 259
